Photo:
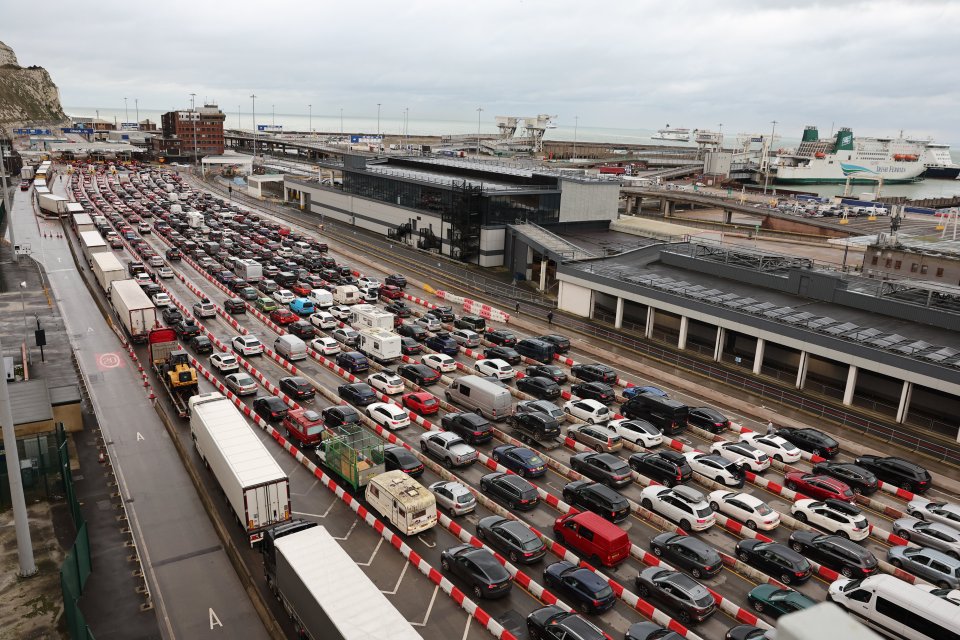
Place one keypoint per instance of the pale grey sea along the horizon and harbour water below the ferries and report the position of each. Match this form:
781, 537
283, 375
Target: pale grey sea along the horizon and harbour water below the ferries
398, 125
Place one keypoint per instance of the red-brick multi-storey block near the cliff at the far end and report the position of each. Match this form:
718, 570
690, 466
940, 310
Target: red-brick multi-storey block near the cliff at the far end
191, 132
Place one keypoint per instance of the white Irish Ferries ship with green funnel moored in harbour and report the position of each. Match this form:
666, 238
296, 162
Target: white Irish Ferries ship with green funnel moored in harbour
861, 160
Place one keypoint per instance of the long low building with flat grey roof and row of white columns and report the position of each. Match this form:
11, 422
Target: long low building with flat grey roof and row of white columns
842, 339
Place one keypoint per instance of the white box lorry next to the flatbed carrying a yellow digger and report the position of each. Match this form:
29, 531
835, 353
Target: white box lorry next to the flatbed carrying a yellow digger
256, 487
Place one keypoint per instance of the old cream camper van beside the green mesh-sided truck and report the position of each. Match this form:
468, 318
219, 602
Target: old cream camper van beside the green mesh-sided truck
403, 501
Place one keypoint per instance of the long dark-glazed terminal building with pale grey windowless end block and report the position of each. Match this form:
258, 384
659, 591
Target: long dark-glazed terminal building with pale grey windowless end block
460, 208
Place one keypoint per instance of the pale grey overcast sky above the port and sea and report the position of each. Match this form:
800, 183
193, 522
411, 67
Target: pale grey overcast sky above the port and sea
876, 66
